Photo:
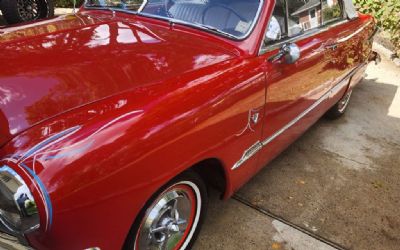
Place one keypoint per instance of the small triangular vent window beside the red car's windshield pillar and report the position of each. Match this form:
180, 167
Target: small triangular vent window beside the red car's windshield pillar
277, 24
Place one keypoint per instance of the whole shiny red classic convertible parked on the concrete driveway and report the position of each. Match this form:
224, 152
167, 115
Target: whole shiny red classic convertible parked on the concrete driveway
115, 120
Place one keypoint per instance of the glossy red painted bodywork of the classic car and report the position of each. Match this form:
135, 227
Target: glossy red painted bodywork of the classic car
107, 109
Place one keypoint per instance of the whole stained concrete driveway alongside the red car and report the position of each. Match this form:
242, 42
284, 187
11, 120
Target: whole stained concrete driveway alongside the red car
338, 186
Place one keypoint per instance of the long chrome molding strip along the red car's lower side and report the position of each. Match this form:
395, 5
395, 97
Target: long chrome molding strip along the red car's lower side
259, 145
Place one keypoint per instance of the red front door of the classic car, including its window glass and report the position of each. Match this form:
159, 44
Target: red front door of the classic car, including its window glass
294, 91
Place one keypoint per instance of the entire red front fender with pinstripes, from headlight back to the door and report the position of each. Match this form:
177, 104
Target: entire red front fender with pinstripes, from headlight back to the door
101, 162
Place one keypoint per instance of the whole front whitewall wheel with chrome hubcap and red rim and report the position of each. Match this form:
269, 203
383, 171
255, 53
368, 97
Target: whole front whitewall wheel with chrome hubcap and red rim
172, 218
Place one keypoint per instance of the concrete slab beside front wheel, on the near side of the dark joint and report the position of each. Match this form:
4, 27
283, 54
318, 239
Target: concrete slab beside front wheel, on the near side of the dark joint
235, 225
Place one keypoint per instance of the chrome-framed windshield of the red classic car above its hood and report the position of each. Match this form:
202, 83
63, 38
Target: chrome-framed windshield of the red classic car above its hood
234, 18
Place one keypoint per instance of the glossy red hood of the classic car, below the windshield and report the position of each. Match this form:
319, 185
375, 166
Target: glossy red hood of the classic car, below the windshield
56, 65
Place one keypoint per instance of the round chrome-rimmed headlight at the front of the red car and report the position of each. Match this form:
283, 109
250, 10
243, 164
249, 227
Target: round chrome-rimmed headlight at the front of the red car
18, 211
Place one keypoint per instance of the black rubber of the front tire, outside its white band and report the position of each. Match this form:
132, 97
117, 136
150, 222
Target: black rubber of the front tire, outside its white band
186, 177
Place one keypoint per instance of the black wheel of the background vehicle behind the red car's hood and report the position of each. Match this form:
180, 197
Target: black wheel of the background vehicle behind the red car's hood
18, 11
